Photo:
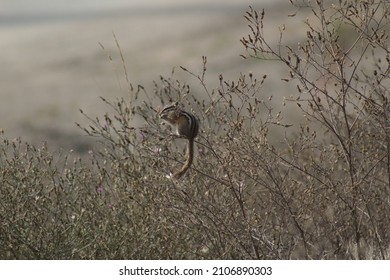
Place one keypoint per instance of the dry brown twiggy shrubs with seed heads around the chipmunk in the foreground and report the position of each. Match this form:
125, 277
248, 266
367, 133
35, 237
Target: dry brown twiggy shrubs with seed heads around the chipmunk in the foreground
306, 196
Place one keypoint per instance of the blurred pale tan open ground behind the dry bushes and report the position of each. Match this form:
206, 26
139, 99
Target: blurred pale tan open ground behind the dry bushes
52, 63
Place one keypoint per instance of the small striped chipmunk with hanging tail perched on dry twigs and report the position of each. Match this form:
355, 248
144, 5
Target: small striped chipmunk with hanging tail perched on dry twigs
187, 126
